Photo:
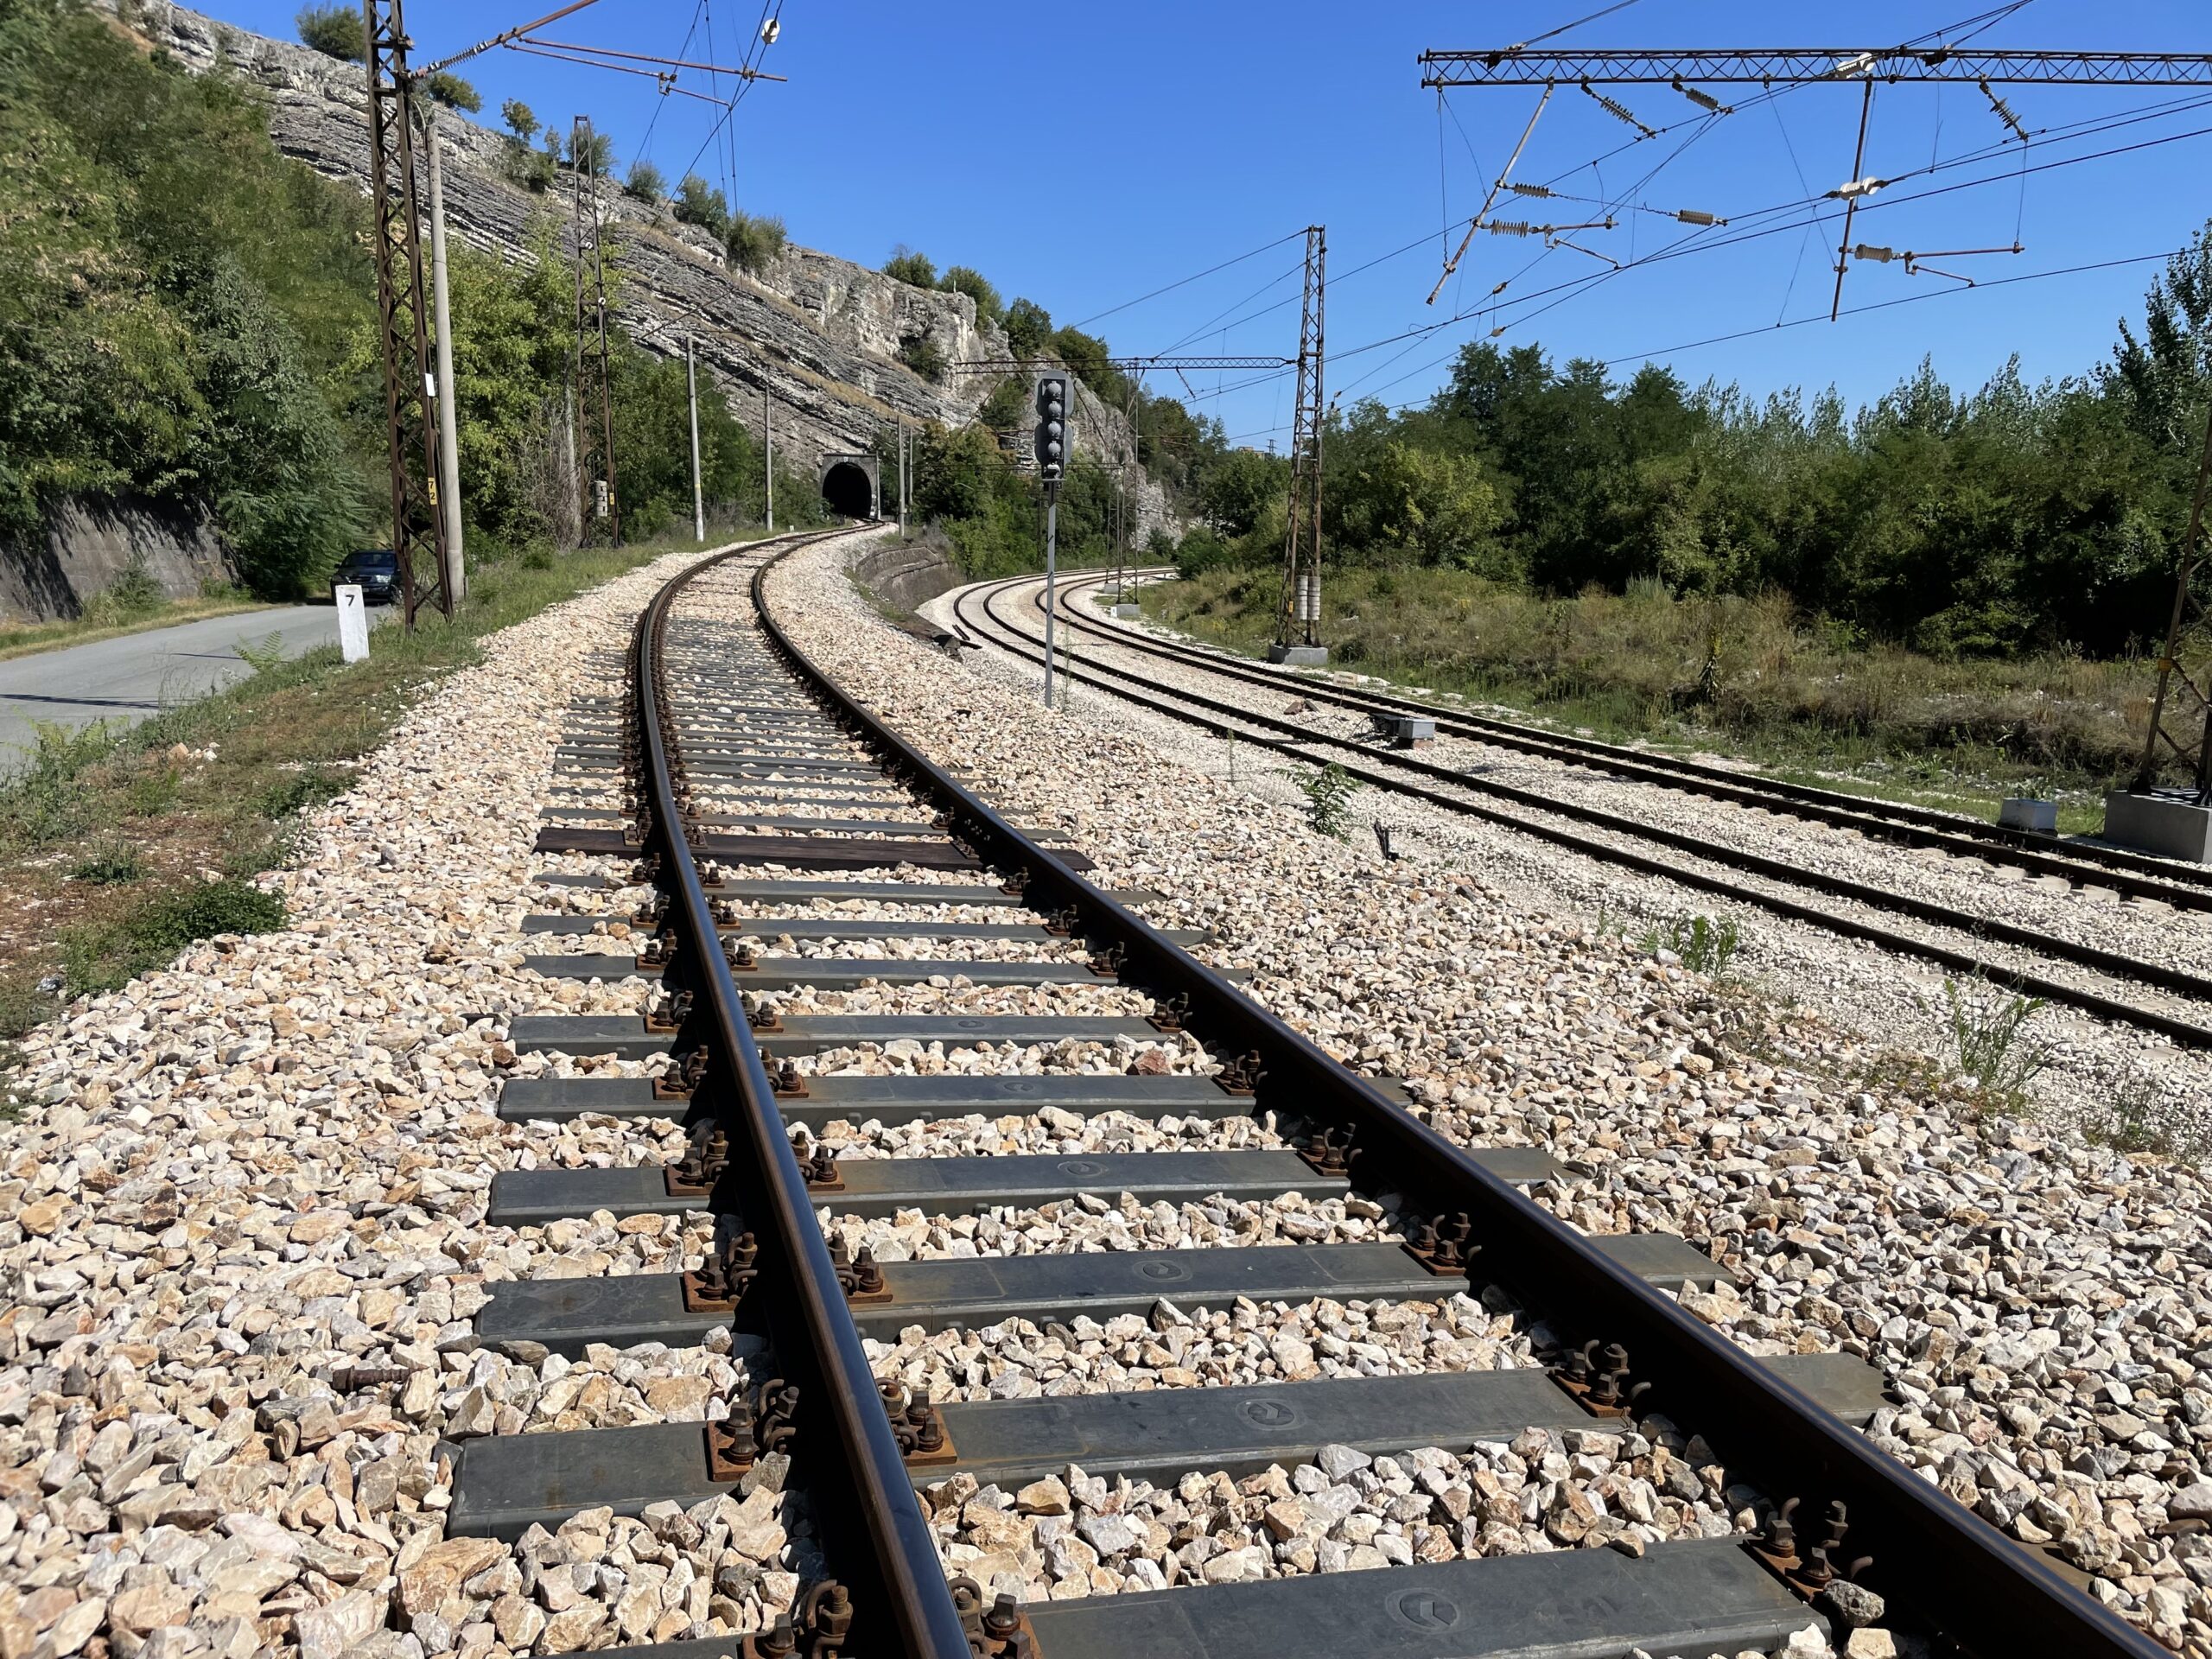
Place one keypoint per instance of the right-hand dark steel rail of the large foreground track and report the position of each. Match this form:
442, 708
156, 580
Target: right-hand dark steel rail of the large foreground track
1930, 1554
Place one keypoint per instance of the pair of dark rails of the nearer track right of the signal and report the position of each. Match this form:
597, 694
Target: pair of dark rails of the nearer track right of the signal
1300, 742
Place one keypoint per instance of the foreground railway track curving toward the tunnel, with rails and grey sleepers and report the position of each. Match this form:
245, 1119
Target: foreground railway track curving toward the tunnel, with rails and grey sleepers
766, 804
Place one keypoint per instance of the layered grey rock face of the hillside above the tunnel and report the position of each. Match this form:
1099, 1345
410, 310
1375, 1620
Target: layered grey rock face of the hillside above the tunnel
820, 333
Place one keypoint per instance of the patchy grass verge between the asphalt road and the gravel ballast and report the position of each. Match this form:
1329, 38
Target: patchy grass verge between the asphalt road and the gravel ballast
123, 848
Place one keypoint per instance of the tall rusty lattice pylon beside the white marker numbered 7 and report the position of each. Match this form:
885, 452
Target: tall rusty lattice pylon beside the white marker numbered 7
401, 302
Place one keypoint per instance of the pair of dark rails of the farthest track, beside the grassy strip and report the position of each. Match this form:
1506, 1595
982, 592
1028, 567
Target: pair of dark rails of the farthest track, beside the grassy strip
1890, 822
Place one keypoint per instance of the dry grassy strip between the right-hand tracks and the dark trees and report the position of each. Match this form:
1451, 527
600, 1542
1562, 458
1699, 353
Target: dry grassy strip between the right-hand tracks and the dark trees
1742, 678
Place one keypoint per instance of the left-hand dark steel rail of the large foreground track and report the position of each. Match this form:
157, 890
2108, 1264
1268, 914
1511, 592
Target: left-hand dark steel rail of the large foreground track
864, 1501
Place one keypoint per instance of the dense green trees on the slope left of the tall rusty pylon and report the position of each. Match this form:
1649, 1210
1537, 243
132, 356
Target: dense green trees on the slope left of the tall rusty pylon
176, 326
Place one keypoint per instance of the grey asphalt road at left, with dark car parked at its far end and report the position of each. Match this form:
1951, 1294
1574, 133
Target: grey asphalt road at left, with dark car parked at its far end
143, 674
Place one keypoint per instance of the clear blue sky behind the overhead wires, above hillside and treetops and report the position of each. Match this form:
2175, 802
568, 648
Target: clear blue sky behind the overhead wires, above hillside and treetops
1085, 156
